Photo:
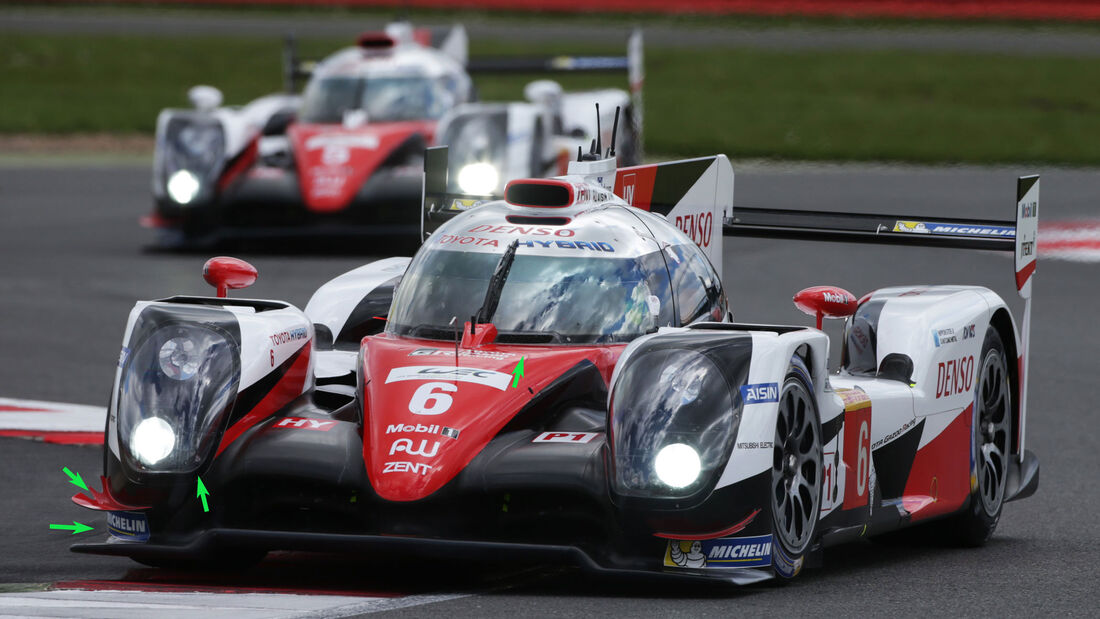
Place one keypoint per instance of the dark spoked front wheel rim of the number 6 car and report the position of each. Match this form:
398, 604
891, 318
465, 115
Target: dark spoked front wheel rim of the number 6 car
796, 473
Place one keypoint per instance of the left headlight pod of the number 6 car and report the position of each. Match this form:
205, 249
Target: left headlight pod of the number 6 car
177, 390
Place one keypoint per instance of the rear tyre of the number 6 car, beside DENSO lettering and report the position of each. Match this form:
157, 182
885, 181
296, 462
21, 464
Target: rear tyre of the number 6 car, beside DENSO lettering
992, 441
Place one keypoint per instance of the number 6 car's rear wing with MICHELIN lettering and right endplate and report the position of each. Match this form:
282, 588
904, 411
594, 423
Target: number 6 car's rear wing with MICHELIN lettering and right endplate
1018, 236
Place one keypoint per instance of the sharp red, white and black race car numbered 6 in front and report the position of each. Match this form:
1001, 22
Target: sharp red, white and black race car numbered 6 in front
556, 375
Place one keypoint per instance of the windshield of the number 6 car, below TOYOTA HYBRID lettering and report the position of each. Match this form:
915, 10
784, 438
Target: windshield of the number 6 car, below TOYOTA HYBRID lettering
545, 300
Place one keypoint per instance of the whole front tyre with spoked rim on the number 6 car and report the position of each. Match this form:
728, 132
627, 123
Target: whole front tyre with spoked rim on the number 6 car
797, 480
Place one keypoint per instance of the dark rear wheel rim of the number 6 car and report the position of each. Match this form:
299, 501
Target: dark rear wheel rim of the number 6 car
993, 417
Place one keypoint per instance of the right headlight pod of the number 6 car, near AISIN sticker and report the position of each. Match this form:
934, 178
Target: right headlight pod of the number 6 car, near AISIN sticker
674, 421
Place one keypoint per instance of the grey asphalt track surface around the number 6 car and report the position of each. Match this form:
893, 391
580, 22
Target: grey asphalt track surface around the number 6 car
73, 266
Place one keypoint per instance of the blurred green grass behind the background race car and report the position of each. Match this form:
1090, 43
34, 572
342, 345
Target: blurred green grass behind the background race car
900, 106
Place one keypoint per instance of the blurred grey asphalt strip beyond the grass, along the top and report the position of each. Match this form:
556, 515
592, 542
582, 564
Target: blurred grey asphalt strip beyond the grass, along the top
984, 39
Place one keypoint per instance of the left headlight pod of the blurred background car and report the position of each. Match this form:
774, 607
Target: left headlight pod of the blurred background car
193, 152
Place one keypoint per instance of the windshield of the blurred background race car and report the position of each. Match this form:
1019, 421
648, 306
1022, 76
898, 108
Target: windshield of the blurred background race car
384, 100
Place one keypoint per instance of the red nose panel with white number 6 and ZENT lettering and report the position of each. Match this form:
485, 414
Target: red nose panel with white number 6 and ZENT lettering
427, 417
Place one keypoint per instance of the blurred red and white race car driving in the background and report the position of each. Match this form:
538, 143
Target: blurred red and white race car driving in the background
345, 159
